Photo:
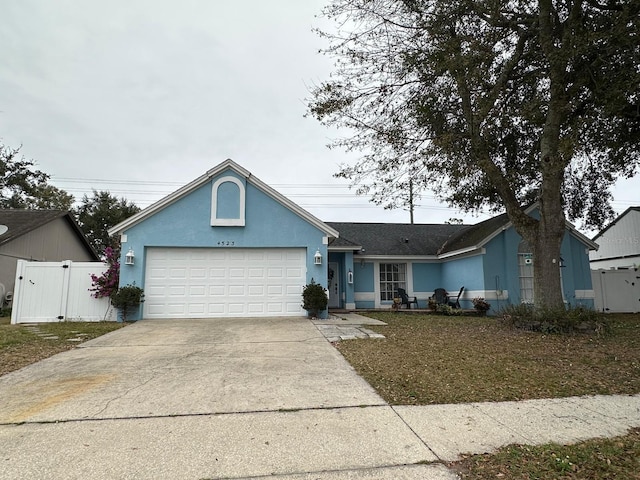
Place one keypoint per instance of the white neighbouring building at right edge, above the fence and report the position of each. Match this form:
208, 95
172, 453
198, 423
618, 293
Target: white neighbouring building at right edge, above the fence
619, 243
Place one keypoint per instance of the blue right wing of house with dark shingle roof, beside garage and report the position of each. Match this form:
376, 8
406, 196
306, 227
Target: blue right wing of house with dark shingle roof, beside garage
368, 262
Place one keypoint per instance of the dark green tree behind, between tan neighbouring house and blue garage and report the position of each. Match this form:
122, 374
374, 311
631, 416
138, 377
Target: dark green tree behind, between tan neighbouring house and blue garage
96, 215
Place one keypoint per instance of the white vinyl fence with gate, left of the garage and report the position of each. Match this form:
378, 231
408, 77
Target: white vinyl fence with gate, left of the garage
58, 291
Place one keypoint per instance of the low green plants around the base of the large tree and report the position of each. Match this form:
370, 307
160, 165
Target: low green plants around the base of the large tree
555, 320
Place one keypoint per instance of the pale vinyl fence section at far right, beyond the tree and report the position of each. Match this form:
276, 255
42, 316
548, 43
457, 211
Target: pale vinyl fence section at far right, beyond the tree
616, 291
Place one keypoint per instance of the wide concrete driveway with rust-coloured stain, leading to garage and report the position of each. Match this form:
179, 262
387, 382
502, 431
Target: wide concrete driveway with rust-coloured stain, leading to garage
219, 398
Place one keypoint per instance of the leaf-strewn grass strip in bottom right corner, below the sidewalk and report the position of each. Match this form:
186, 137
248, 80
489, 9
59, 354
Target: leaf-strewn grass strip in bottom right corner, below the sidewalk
591, 460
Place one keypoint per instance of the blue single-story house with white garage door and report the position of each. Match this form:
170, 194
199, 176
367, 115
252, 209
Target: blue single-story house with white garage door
229, 245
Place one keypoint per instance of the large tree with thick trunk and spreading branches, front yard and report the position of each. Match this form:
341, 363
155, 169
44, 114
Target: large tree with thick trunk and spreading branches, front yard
490, 103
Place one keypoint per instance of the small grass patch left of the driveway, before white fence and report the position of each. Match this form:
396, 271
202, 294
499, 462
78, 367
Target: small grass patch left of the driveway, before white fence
20, 347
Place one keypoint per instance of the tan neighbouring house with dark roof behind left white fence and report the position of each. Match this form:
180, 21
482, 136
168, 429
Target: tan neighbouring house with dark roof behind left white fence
41, 236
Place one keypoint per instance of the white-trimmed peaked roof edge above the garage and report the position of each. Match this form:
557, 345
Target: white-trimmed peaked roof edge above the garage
227, 165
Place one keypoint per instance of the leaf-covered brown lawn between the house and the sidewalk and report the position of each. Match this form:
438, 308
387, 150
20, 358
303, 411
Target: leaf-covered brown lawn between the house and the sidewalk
434, 360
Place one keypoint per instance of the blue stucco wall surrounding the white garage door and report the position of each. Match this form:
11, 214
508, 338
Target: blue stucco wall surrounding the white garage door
187, 223
